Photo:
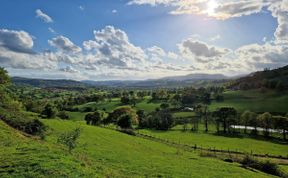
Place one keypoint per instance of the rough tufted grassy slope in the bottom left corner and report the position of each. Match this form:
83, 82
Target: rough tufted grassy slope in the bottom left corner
21, 156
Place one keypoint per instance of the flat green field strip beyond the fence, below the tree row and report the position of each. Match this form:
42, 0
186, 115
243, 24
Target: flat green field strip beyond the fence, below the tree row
222, 142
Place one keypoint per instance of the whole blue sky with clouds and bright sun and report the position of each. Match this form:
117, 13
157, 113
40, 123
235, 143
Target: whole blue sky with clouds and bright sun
141, 39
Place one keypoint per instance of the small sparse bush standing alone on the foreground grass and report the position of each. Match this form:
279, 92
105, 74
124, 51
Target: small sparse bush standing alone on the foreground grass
69, 139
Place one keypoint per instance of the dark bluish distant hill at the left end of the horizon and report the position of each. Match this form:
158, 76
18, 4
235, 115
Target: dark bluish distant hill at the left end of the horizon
45, 83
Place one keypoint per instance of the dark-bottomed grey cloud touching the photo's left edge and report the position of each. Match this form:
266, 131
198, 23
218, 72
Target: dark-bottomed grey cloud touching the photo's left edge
18, 41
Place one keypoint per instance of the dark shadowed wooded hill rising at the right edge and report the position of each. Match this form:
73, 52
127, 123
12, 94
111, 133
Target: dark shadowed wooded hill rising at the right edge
271, 79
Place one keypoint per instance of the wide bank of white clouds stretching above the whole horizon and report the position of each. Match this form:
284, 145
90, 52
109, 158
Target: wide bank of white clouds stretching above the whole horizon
111, 55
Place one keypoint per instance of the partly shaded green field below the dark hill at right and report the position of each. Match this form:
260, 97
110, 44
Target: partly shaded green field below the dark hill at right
254, 101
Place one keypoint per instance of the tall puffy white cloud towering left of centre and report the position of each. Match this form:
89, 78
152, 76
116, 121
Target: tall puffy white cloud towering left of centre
113, 47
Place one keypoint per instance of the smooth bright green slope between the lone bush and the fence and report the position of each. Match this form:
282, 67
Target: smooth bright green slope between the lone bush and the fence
132, 156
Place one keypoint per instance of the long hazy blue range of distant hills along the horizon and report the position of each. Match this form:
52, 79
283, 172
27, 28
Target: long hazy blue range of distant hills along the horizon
197, 80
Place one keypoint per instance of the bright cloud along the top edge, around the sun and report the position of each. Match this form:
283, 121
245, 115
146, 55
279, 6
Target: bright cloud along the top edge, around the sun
221, 10
